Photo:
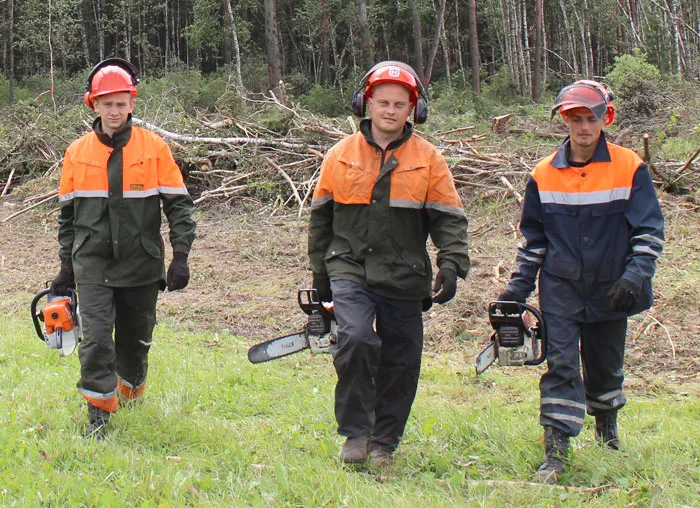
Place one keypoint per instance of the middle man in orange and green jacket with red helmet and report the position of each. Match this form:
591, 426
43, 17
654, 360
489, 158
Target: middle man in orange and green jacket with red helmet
382, 191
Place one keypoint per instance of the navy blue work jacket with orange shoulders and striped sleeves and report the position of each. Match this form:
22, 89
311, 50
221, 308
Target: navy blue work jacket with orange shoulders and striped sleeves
585, 228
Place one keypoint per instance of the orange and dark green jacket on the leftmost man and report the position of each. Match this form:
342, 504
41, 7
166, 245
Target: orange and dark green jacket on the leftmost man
110, 194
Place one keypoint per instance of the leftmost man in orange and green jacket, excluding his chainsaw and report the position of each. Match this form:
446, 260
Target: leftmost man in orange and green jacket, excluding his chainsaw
113, 182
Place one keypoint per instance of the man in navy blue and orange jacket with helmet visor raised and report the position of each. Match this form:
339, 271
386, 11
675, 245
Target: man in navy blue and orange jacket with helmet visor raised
593, 230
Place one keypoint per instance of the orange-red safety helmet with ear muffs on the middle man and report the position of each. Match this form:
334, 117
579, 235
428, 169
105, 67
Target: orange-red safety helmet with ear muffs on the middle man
392, 71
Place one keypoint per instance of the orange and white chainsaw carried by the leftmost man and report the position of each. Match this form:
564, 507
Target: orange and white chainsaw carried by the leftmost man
61, 317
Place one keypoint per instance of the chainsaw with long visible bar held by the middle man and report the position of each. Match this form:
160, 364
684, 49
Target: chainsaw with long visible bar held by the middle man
319, 334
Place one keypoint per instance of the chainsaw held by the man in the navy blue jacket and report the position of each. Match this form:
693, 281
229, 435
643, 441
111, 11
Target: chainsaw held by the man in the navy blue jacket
519, 337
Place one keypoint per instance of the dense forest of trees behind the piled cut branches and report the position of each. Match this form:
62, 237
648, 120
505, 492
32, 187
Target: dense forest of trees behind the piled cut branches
525, 46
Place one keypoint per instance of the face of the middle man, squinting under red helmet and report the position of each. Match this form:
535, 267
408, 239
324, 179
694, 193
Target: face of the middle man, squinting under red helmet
389, 108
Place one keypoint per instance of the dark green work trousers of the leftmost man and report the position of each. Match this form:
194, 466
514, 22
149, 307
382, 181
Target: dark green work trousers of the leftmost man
129, 312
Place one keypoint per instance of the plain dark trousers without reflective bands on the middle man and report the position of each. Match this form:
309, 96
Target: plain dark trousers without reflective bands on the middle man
377, 370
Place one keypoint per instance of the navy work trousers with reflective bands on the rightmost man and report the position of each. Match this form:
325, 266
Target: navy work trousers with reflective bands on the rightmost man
565, 395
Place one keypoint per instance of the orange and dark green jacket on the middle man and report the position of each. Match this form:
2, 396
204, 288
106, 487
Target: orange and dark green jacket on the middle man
373, 210
